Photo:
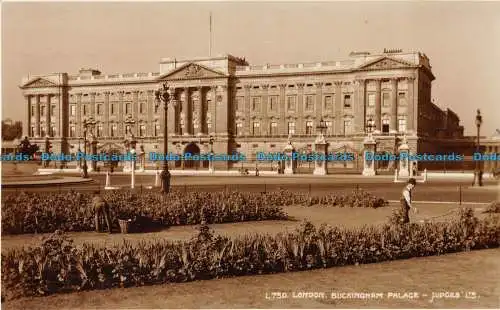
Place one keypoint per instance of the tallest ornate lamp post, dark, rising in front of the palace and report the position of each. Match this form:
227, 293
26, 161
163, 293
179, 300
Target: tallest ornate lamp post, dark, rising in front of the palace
164, 95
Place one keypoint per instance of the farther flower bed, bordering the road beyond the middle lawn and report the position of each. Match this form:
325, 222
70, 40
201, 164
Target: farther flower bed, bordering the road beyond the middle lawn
48, 212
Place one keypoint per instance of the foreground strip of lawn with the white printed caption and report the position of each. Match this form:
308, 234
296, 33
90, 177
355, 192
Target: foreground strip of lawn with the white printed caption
476, 271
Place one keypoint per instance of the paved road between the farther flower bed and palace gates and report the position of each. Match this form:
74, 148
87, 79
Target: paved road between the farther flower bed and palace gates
439, 190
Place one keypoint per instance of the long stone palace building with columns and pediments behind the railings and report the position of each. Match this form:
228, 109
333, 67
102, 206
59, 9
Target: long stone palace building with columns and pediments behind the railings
233, 107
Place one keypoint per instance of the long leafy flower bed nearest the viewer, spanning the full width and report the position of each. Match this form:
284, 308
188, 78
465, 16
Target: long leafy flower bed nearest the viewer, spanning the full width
58, 266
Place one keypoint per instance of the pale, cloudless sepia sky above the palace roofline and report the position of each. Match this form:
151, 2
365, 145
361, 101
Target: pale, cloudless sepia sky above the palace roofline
461, 39
